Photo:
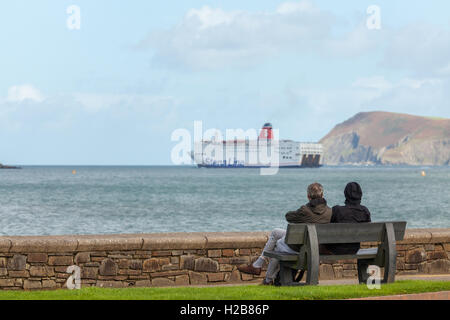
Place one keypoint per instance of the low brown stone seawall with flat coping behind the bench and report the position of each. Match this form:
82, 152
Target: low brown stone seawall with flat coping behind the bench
172, 259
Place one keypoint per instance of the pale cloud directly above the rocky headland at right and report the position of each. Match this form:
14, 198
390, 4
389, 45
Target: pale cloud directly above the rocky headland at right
320, 109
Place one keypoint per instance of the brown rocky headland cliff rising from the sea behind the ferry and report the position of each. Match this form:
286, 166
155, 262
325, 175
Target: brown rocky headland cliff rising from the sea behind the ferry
388, 138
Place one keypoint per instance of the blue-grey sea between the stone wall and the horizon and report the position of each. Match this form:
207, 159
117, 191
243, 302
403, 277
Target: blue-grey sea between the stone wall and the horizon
52, 200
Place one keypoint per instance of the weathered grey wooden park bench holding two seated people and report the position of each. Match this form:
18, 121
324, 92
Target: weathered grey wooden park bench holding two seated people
310, 236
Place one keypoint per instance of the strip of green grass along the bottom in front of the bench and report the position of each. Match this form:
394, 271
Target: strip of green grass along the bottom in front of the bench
249, 292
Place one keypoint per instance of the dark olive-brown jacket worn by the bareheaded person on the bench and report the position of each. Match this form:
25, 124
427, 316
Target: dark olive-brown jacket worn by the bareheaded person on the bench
315, 211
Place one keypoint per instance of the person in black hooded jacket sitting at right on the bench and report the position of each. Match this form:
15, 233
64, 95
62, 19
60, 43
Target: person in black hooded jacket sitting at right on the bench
352, 212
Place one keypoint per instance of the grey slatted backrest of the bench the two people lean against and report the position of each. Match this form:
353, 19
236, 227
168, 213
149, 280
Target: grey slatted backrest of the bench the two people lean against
344, 232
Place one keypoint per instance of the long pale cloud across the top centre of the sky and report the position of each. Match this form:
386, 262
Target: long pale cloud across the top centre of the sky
209, 38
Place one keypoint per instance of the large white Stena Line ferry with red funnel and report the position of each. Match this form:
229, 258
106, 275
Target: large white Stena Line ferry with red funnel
244, 154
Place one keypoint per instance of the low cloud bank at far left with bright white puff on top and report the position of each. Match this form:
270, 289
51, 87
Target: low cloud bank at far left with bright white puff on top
25, 109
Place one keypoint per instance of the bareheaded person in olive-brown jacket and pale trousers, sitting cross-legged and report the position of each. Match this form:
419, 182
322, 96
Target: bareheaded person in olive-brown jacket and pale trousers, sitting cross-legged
315, 211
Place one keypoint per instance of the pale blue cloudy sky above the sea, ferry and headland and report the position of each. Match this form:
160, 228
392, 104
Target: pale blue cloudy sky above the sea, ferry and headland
106, 83
